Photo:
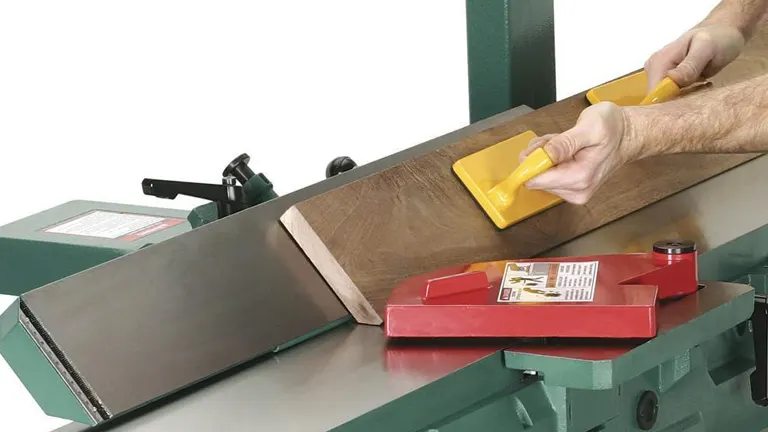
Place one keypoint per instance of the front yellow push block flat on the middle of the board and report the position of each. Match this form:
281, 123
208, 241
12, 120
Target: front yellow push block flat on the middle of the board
495, 179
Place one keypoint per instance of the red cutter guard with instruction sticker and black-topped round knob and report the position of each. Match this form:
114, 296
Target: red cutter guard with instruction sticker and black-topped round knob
602, 296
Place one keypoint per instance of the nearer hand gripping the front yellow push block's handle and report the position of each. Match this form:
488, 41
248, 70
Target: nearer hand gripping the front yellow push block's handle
583, 156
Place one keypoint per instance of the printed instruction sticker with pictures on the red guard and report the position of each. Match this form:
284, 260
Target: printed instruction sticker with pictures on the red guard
548, 282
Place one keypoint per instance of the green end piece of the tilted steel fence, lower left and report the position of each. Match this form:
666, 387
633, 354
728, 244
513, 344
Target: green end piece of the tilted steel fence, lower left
35, 371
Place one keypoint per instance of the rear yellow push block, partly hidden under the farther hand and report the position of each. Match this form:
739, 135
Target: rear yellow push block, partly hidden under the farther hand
631, 90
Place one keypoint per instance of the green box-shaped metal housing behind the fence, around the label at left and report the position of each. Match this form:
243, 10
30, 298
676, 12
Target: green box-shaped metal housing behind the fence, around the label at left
31, 258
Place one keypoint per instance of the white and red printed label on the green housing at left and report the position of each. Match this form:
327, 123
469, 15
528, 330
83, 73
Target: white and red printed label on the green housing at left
114, 225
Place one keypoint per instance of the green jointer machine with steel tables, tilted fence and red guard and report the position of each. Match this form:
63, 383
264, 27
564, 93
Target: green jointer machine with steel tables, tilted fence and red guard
145, 319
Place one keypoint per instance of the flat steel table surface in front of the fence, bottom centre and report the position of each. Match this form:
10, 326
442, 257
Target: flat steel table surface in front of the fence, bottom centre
315, 386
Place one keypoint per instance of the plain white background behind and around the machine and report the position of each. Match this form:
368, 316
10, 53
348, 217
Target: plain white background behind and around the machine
96, 95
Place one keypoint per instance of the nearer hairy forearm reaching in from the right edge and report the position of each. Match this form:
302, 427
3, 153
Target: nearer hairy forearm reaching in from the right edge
732, 119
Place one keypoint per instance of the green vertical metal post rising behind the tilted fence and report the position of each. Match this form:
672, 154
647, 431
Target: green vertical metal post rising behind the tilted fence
511, 55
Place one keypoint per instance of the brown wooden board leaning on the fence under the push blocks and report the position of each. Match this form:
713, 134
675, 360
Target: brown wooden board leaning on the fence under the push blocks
368, 235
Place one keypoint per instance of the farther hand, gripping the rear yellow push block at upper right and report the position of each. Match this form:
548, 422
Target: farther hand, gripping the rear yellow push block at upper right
699, 53
